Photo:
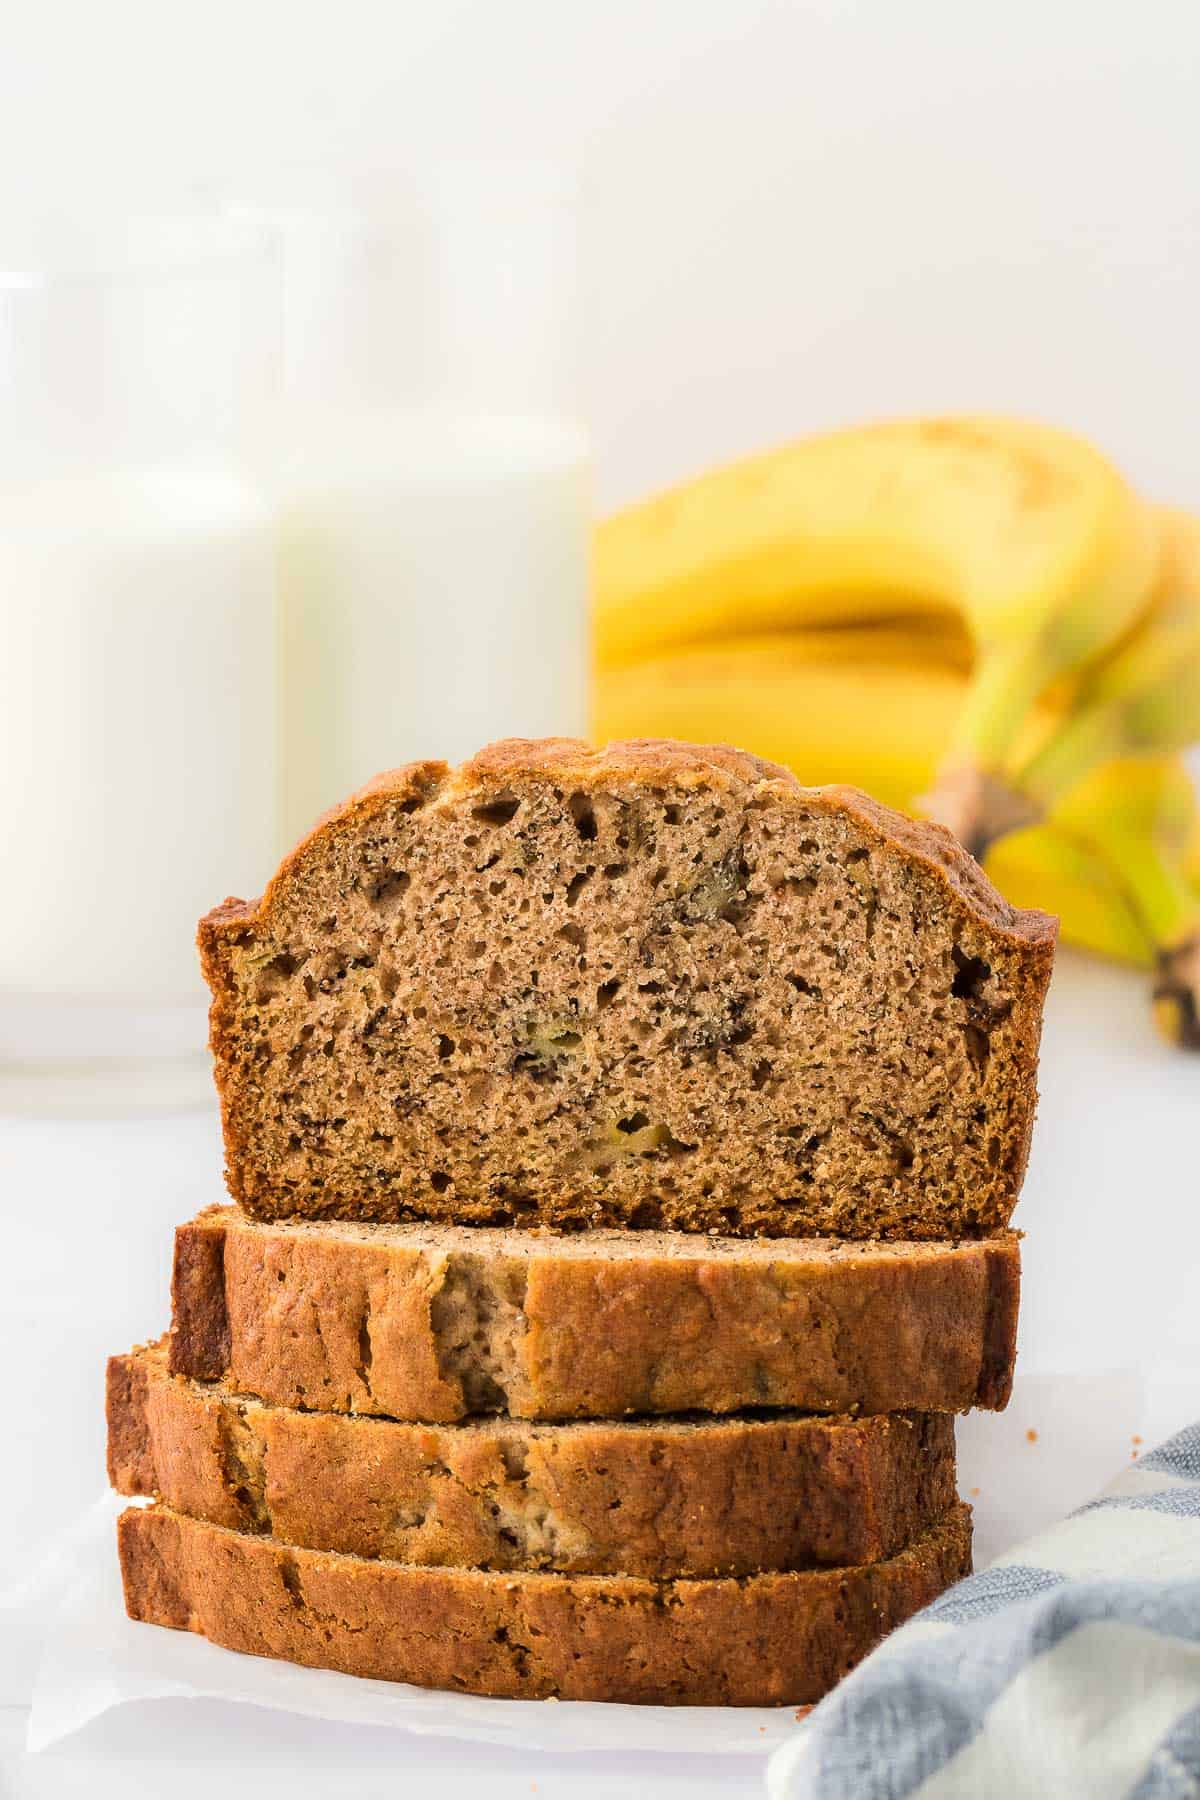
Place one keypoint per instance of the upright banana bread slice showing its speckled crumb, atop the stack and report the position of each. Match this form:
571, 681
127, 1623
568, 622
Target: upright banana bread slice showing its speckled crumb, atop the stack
652, 985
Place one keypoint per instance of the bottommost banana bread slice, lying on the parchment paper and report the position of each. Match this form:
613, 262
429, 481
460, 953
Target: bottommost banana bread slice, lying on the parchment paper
758, 1641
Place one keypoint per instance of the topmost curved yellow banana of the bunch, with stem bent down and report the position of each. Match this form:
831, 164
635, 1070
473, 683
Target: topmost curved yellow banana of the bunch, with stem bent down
1025, 534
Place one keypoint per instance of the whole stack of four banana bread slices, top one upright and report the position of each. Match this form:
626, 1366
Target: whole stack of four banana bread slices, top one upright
623, 1147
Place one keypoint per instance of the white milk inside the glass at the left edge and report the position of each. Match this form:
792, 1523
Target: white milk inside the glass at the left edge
138, 733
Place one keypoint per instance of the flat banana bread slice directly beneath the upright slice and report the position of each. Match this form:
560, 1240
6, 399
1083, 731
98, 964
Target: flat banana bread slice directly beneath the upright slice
438, 1322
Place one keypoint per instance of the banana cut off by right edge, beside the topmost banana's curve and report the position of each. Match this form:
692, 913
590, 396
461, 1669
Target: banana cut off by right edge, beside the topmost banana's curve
1145, 696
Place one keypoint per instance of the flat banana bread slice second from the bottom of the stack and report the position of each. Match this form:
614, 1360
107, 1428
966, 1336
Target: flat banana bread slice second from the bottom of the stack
701, 1497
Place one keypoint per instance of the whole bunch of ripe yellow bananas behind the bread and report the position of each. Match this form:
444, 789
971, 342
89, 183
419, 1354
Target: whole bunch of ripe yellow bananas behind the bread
972, 618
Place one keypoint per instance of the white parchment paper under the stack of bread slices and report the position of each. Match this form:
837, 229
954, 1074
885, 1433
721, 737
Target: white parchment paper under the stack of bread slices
1057, 1444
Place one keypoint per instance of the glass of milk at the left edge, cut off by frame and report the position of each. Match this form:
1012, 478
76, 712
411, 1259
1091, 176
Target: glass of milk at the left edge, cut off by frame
139, 773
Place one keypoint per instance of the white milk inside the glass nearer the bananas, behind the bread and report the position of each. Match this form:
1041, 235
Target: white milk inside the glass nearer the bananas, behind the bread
434, 582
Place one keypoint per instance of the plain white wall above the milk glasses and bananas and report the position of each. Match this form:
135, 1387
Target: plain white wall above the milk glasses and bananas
794, 213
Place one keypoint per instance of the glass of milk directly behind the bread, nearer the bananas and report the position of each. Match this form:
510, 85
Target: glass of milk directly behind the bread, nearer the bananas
433, 485
